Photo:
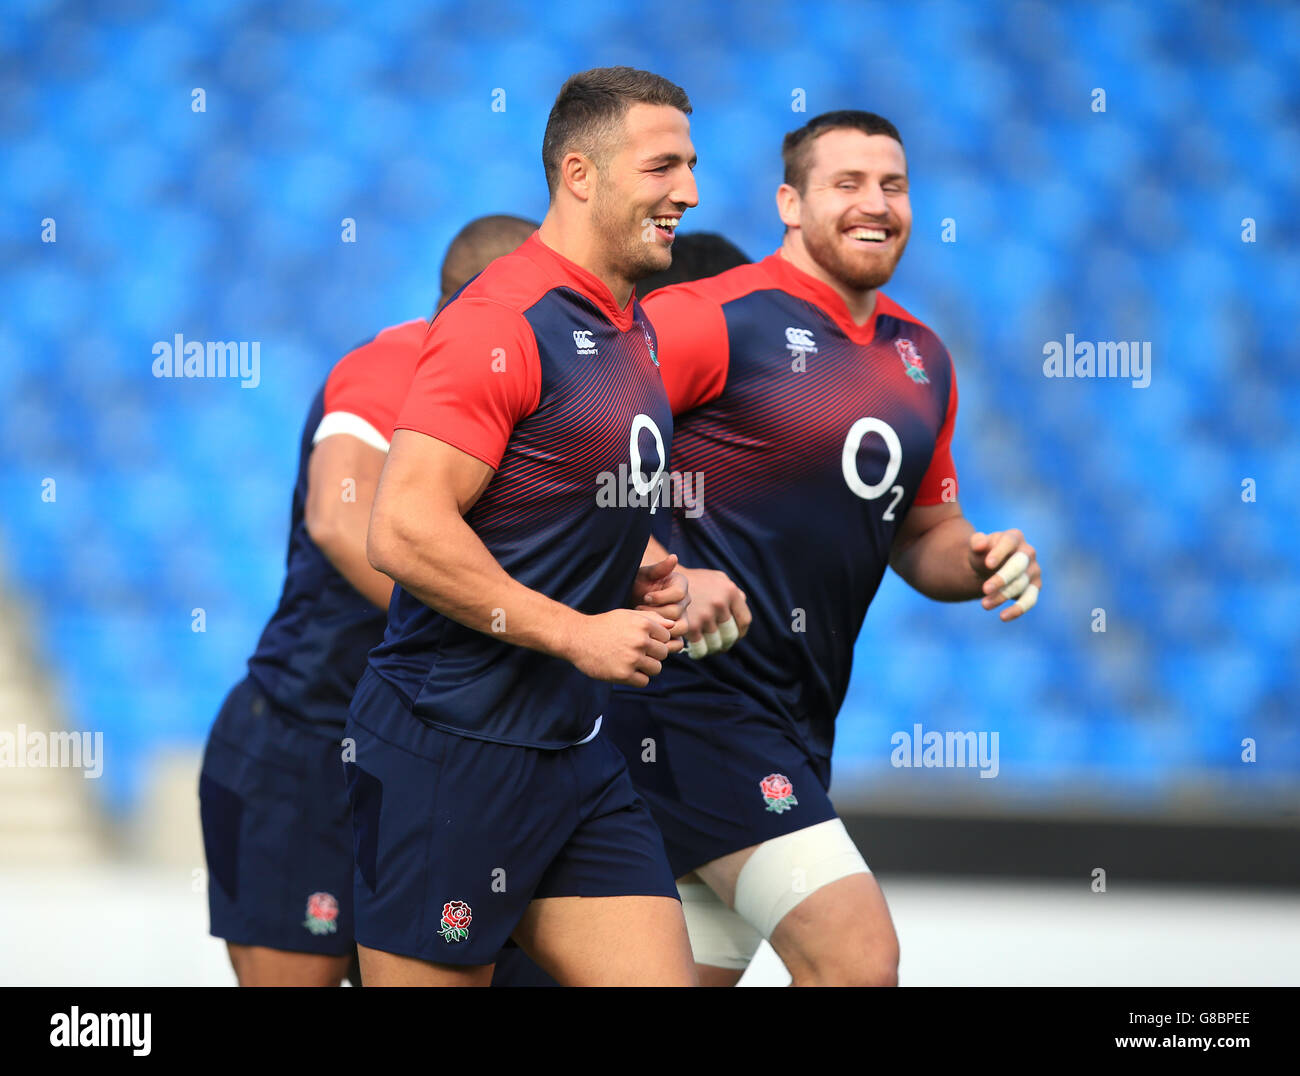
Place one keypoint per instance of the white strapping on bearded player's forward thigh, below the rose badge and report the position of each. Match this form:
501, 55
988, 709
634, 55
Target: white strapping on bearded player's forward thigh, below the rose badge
785, 871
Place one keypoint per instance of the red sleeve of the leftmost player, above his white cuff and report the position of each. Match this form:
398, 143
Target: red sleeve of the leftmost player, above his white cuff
371, 381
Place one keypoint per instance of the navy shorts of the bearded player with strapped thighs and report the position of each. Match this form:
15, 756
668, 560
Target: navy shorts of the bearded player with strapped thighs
718, 774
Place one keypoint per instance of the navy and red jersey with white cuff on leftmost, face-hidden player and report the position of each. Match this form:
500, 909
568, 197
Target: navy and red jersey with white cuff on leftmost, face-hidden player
313, 652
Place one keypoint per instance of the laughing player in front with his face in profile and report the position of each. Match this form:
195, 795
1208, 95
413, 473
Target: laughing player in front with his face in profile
487, 802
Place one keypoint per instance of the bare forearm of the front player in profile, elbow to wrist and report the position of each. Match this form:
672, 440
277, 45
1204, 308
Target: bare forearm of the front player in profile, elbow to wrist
453, 572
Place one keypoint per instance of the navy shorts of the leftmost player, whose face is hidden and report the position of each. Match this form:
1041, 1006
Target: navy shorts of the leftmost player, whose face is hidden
278, 830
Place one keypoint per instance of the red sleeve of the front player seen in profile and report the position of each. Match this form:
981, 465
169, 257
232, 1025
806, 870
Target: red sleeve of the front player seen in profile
478, 379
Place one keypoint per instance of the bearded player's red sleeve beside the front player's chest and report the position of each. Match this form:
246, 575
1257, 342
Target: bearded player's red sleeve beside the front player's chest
694, 350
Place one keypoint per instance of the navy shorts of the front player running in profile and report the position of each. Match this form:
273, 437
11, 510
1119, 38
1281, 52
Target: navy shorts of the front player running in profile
454, 838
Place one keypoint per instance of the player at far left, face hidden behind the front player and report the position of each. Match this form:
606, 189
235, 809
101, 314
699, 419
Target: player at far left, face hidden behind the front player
276, 823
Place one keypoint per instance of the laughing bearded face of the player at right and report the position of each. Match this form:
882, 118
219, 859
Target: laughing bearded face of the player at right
855, 215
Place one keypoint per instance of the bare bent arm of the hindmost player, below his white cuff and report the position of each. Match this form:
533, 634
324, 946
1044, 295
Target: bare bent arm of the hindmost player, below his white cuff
343, 474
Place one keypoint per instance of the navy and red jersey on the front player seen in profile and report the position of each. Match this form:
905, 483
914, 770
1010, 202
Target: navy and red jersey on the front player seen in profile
538, 372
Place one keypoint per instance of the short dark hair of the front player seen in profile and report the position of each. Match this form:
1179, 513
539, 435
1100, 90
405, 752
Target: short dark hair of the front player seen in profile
590, 111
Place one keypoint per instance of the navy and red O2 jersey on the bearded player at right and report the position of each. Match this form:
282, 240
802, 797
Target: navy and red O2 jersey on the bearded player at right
809, 439
